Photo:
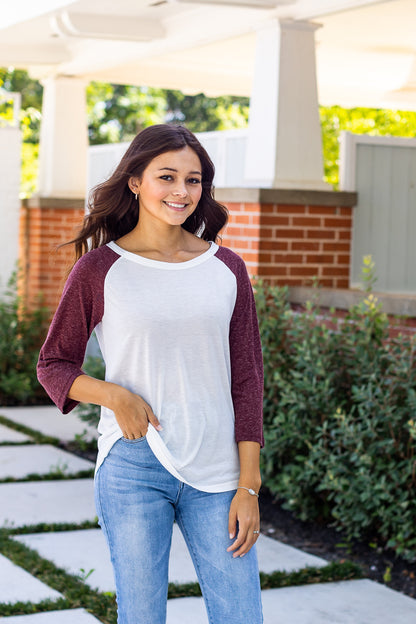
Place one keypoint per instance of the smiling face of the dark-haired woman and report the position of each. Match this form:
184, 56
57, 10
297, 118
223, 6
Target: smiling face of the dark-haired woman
170, 187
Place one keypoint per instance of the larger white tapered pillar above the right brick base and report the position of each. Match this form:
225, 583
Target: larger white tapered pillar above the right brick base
285, 141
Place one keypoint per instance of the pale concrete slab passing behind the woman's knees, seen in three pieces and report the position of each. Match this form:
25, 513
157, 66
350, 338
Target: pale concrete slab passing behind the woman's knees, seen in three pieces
79, 552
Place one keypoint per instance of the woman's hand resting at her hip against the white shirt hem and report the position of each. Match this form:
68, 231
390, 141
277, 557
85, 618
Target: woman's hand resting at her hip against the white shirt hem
133, 414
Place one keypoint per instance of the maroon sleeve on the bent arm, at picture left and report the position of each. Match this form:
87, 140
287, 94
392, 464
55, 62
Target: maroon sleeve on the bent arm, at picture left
79, 311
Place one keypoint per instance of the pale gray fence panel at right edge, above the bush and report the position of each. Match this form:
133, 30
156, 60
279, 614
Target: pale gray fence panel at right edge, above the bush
383, 172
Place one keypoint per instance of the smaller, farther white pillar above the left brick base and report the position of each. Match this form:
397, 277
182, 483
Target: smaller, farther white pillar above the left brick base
63, 140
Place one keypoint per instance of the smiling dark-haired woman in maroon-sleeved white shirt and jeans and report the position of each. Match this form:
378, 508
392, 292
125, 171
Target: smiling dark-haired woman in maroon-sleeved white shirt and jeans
181, 417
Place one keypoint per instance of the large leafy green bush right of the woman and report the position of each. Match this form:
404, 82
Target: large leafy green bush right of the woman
340, 426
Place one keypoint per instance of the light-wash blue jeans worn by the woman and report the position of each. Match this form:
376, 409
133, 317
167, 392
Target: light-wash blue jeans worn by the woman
137, 502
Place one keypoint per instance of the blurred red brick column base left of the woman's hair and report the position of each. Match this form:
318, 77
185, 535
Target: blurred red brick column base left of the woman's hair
46, 223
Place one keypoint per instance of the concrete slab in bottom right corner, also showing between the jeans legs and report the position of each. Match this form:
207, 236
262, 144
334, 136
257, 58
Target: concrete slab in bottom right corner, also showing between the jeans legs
348, 602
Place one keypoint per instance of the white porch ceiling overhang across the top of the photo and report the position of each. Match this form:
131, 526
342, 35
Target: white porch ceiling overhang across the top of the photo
366, 49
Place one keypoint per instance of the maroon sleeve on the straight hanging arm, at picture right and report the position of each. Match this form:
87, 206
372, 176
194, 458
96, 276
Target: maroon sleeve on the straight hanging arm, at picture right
245, 354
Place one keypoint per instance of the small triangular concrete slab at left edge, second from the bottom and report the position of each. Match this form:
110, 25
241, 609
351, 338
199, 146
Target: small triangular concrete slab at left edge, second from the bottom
18, 585
